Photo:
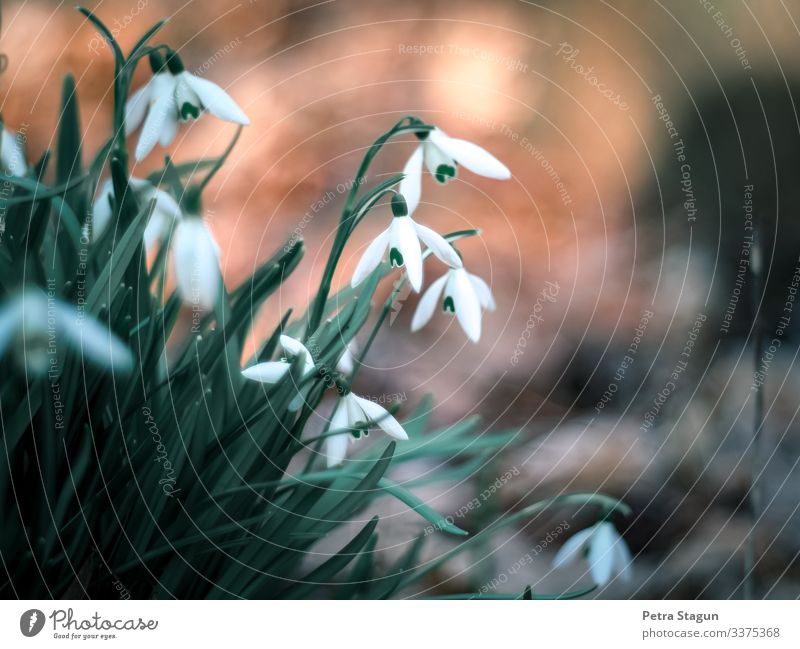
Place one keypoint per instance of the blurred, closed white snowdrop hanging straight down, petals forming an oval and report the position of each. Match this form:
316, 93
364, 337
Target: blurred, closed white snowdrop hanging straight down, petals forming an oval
195, 256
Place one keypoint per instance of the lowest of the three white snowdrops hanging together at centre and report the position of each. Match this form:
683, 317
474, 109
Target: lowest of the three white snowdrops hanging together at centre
464, 295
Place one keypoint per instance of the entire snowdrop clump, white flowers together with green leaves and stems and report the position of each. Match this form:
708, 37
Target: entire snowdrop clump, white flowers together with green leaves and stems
143, 454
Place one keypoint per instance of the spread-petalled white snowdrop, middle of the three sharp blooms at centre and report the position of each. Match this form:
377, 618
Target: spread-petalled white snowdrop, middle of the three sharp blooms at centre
402, 238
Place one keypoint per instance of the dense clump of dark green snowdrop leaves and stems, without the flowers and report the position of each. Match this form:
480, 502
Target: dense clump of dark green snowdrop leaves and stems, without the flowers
173, 476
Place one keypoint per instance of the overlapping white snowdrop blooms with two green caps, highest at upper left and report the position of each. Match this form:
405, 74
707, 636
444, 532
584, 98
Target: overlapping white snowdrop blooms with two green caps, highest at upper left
174, 95
